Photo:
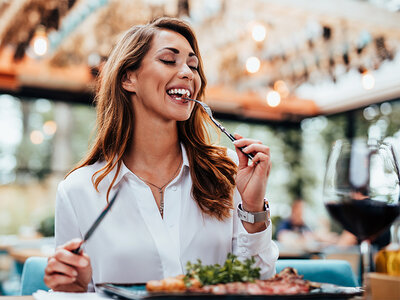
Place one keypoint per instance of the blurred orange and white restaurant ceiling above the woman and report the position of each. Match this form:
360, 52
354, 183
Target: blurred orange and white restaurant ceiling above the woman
317, 50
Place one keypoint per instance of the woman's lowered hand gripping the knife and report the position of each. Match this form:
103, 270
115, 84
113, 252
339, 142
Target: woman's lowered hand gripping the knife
66, 271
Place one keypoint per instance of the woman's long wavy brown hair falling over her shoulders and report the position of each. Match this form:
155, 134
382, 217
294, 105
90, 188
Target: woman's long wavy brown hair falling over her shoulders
212, 172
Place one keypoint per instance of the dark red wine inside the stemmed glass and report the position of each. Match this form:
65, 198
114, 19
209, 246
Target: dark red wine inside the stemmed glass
364, 218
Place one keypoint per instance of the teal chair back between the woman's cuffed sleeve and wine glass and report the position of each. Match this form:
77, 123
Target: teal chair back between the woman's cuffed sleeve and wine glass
337, 272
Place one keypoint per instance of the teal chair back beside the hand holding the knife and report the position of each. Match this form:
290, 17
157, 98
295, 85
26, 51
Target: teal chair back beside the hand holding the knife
32, 275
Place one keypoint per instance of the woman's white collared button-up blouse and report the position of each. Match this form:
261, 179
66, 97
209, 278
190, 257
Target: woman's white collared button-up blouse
134, 244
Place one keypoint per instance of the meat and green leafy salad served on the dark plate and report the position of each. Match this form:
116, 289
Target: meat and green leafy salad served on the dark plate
234, 277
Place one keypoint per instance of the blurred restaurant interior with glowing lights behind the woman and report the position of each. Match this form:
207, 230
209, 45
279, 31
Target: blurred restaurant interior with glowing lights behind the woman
298, 75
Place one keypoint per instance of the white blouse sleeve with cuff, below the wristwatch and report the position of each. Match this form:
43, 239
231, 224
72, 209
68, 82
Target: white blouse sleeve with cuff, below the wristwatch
259, 245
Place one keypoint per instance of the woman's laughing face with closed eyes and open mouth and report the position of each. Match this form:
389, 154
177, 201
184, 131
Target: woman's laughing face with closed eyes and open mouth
167, 70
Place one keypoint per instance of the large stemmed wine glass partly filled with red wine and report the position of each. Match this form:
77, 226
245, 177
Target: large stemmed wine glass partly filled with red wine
361, 190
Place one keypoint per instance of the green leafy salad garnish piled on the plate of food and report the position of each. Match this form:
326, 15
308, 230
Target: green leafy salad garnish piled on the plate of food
233, 270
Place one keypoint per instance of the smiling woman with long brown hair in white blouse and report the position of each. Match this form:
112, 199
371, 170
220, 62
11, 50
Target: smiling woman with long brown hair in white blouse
178, 194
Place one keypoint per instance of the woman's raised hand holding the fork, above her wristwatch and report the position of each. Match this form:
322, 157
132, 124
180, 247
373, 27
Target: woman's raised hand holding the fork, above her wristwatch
252, 175
